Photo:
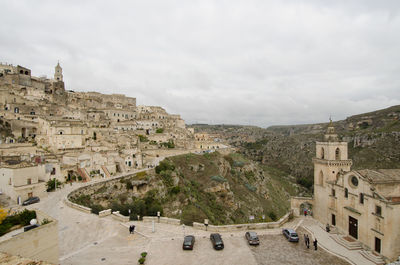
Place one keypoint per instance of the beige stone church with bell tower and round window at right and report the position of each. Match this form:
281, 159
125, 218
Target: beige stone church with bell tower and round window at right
362, 205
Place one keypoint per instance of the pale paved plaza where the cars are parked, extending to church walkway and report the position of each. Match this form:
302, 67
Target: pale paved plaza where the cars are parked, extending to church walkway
87, 239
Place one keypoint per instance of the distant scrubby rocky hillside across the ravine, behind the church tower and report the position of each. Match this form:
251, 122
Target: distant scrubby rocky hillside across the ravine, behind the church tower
373, 139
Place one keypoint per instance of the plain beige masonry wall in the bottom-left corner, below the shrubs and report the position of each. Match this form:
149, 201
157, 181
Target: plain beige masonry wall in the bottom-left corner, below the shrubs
40, 243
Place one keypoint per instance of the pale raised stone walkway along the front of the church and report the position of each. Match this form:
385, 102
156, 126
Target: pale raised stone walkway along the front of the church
326, 242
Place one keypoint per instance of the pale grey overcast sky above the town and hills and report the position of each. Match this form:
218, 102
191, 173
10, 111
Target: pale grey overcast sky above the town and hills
233, 62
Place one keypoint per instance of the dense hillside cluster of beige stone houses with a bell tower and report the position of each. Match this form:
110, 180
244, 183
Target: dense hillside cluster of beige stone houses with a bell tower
63, 134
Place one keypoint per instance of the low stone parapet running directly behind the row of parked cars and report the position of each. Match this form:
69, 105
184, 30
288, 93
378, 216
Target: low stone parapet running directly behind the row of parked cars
243, 227
